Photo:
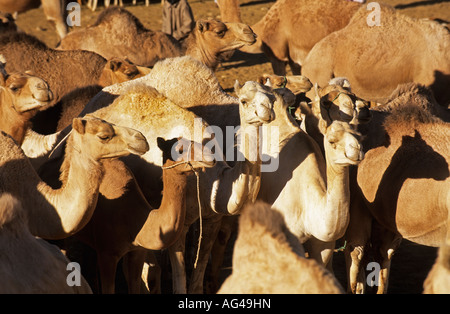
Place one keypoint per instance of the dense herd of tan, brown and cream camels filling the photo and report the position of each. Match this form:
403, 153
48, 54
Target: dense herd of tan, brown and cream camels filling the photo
118, 141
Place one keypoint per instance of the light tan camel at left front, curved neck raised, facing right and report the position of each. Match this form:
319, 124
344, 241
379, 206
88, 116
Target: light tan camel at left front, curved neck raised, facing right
54, 214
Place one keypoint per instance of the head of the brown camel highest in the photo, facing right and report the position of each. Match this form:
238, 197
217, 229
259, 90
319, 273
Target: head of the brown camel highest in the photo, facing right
225, 36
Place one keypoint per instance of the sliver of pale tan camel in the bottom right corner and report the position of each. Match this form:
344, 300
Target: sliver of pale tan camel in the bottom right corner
438, 279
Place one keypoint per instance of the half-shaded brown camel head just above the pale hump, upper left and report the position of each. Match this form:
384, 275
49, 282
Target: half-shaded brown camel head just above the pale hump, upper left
118, 70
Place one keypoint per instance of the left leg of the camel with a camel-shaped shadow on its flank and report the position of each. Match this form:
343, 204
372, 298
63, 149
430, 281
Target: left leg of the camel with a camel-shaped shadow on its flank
357, 236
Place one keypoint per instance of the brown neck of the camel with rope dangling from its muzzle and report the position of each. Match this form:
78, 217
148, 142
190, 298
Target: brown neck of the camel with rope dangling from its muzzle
164, 225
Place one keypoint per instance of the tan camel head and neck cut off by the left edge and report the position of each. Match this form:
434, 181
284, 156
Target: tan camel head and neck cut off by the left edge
21, 96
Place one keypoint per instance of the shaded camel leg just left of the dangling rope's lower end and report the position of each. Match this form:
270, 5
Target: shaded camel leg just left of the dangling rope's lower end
177, 261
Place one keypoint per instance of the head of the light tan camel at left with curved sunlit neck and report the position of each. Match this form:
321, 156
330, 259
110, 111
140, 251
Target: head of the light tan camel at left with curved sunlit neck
100, 139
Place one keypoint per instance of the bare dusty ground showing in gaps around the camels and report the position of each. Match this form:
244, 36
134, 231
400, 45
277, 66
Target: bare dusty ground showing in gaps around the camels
412, 262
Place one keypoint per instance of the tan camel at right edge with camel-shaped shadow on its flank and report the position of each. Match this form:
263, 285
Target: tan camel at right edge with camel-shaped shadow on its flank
403, 183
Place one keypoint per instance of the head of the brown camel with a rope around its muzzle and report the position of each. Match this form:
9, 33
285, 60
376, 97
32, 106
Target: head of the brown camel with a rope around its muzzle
186, 154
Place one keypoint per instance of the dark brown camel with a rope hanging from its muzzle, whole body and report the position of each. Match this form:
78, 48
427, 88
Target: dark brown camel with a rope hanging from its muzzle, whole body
123, 208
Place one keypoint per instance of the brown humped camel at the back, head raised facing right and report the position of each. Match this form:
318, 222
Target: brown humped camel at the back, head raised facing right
118, 33
